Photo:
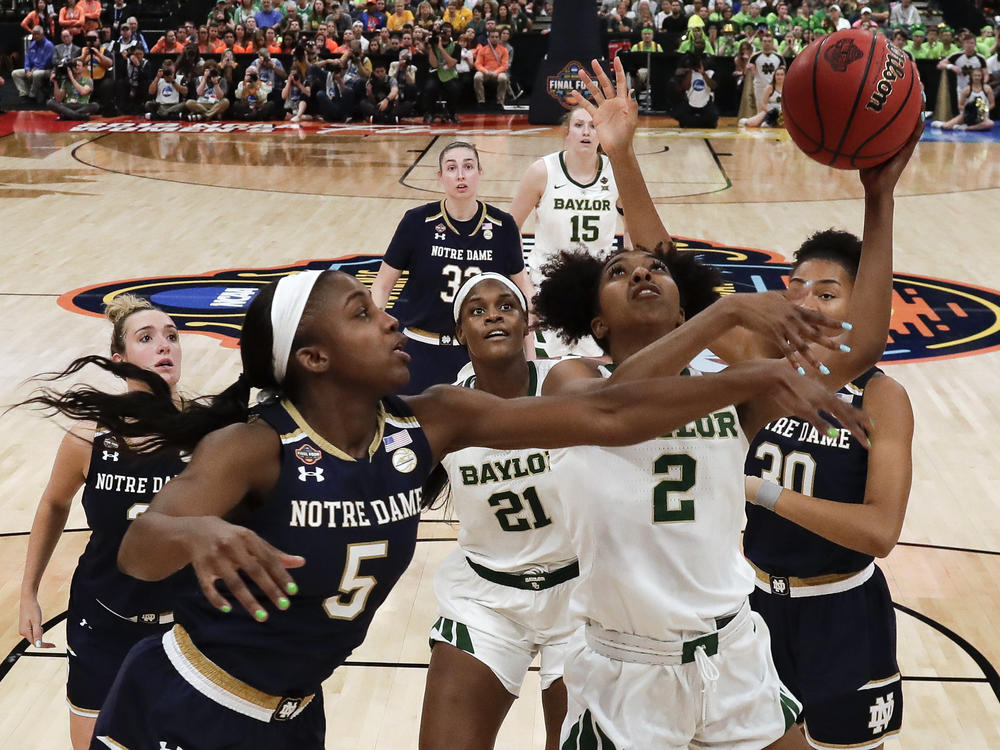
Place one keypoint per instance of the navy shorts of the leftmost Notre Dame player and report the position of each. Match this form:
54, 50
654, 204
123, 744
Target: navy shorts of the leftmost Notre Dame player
98, 643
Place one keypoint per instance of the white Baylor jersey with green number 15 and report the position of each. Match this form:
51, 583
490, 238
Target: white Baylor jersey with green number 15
570, 214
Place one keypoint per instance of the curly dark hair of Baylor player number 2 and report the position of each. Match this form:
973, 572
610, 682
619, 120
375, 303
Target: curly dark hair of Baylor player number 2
567, 300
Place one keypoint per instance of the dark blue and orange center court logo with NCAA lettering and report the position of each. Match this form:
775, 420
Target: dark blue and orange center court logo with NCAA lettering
931, 318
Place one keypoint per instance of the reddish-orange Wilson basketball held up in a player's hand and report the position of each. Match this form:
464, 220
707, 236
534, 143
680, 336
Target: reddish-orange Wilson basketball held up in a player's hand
851, 99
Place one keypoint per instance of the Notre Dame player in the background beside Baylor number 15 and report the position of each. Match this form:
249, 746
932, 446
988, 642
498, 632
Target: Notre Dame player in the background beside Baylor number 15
441, 244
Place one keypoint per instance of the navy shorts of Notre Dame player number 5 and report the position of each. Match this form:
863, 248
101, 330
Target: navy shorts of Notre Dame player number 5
152, 706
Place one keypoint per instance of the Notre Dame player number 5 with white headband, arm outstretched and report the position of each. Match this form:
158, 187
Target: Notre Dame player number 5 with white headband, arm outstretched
324, 478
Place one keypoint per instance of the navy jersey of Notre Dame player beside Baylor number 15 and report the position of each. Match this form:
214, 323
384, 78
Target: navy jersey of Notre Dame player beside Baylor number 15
440, 253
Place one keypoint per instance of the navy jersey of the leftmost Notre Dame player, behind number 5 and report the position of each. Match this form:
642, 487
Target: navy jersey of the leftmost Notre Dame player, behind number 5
119, 487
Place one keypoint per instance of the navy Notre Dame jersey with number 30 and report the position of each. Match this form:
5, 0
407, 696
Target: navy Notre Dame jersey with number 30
795, 455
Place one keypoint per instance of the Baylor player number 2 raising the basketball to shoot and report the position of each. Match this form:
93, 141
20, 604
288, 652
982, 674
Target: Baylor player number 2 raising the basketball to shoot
671, 655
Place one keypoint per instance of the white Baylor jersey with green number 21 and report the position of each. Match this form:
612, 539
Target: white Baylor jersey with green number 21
505, 501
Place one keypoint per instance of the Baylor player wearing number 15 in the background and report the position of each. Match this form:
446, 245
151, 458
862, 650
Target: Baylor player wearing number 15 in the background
574, 195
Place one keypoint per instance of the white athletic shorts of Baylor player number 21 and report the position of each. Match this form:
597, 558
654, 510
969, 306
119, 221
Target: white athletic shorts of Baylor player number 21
503, 627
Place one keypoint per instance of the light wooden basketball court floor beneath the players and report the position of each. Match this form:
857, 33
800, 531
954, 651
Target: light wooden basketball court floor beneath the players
82, 208
